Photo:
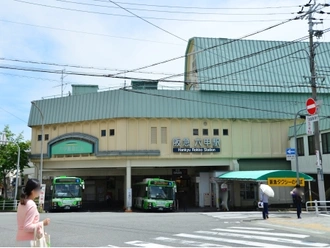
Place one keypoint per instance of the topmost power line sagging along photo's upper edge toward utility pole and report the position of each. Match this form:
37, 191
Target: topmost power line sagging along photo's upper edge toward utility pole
200, 7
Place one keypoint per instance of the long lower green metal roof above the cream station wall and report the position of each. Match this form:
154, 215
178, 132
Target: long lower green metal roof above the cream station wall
169, 104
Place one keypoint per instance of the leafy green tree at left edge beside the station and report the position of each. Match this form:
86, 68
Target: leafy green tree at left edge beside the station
9, 153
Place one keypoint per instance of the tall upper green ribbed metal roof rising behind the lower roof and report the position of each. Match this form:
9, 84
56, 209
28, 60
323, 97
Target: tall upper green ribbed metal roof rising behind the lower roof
274, 70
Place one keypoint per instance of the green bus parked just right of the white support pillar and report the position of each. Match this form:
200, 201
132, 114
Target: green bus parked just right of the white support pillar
154, 194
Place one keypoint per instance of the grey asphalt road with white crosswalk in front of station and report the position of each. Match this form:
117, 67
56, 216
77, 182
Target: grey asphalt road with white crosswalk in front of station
230, 229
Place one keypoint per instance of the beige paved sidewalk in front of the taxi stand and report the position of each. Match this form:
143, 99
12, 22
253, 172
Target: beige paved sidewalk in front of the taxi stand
309, 221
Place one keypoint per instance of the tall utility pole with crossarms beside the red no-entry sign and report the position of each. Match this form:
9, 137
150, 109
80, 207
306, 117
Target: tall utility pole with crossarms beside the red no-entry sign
320, 177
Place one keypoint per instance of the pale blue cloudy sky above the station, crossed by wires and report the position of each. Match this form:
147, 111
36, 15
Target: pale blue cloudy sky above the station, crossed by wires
57, 35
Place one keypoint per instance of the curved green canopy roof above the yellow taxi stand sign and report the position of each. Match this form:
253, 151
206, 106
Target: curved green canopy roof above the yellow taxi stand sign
262, 175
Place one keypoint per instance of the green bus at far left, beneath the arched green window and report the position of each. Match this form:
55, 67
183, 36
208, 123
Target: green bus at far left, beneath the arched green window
67, 193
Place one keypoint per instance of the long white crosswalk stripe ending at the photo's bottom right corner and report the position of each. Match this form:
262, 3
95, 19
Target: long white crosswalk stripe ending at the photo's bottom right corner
265, 238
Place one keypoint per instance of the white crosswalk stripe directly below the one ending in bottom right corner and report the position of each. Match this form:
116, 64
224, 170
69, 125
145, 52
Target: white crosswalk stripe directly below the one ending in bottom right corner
233, 241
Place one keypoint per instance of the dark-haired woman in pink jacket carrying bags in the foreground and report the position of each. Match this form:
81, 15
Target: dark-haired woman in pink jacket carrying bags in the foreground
28, 215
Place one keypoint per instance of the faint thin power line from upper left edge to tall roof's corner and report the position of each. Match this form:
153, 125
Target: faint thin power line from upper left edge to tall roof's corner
88, 33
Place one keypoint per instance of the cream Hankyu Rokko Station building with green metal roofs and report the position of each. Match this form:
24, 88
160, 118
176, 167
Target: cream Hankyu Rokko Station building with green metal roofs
239, 102
